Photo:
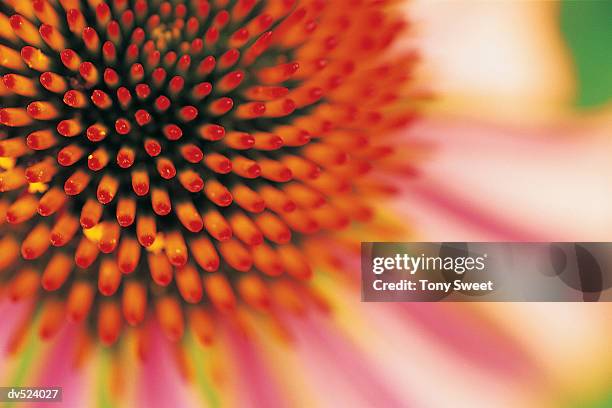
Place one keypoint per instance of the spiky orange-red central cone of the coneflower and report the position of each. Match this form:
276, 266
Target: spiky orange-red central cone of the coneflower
170, 156
